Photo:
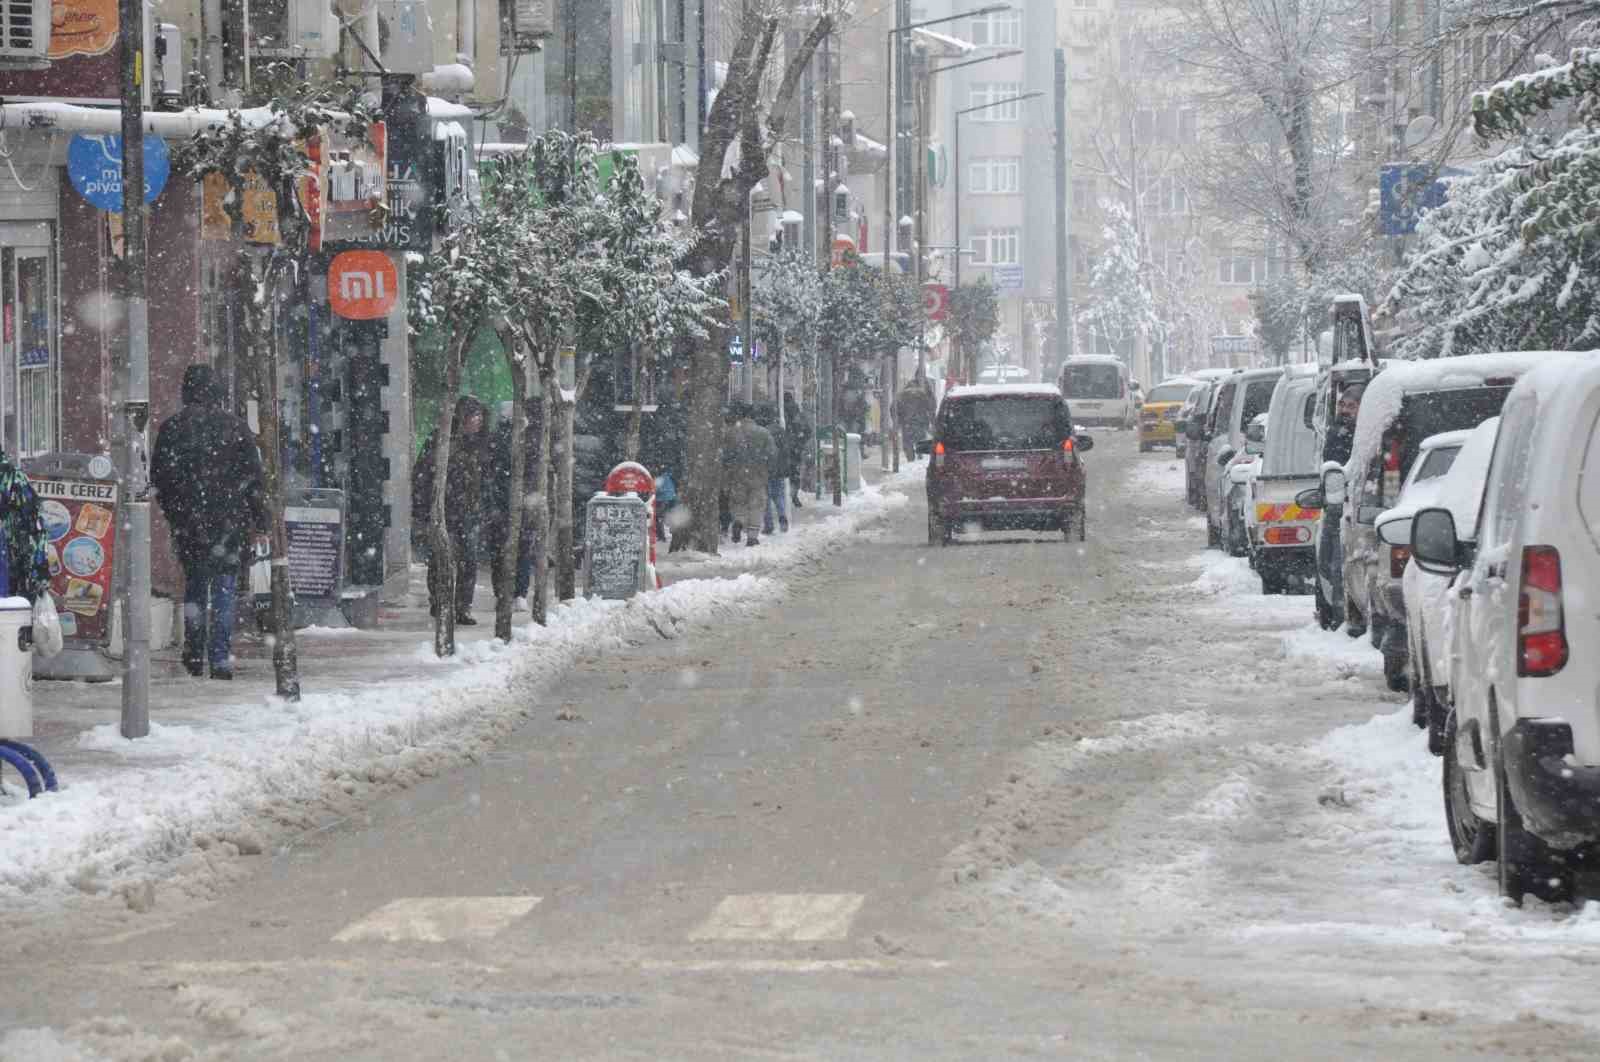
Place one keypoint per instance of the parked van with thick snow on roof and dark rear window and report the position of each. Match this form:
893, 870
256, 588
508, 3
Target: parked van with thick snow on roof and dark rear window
1404, 405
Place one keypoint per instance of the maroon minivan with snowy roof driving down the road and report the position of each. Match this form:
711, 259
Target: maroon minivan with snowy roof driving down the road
1006, 458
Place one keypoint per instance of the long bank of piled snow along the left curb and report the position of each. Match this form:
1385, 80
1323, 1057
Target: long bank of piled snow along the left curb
185, 796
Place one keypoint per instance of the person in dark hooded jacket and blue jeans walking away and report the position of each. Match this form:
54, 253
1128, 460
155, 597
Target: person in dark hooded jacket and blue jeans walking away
209, 482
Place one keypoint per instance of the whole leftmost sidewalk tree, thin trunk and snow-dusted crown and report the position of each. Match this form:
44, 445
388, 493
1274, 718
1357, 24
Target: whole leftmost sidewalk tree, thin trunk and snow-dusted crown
266, 146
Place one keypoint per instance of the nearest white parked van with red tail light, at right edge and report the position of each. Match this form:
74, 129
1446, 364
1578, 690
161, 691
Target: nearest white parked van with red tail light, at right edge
1522, 740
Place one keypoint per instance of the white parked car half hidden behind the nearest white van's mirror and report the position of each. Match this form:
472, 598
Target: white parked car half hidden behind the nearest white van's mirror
1425, 594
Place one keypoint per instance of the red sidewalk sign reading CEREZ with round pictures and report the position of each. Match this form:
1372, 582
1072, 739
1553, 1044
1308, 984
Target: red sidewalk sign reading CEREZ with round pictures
81, 522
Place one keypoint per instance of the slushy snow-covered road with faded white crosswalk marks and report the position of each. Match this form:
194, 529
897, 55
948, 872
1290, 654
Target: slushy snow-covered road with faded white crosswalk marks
1012, 797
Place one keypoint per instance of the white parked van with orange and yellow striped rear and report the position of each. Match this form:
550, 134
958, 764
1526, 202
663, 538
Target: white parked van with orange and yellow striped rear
1281, 529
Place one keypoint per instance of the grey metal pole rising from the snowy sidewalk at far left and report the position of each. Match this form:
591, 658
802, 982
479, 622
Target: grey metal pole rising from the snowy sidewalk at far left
137, 391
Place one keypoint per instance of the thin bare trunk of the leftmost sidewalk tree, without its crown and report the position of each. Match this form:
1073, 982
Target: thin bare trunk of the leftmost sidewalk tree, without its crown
286, 657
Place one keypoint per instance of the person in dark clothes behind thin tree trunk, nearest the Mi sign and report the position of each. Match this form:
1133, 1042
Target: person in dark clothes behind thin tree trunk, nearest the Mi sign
463, 506
